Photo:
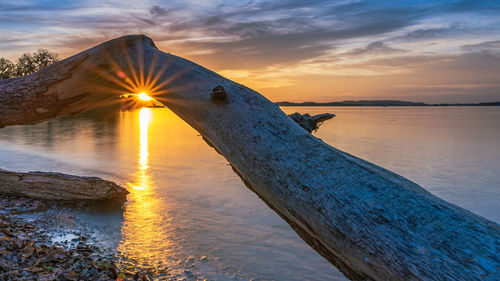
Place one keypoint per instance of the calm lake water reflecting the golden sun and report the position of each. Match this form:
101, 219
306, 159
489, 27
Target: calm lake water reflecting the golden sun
188, 211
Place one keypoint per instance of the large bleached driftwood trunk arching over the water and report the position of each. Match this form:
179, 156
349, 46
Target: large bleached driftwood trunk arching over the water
369, 222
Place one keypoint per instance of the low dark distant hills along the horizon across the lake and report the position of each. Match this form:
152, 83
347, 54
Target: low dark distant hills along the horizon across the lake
381, 103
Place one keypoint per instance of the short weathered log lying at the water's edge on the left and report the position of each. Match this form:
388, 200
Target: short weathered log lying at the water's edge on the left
56, 186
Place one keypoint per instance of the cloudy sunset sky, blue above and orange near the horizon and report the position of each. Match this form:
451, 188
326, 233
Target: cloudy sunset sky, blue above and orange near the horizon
291, 50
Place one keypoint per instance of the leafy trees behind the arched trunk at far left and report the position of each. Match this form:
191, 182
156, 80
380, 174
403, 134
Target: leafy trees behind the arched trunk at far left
26, 64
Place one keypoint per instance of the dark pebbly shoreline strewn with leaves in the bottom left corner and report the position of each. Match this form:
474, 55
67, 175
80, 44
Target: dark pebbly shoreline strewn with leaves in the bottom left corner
27, 252
